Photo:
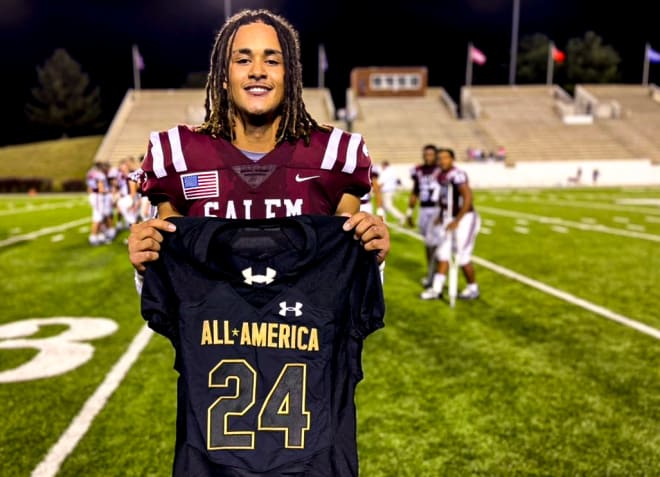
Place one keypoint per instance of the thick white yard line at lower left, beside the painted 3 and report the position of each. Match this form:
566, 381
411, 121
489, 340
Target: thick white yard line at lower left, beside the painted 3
51, 464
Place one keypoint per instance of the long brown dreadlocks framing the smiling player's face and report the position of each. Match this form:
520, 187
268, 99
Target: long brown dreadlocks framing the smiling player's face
296, 122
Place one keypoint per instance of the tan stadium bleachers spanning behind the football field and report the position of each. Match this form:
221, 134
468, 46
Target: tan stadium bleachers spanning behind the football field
528, 120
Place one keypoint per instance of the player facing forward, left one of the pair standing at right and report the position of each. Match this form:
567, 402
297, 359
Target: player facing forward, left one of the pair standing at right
426, 193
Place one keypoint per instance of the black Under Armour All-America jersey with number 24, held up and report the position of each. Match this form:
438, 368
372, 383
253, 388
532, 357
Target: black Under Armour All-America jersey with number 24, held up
267, 318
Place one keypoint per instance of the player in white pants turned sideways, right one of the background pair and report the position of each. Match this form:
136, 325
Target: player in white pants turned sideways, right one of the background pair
463, 221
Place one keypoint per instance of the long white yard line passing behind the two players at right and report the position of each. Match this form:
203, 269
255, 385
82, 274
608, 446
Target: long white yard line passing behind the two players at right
562, 295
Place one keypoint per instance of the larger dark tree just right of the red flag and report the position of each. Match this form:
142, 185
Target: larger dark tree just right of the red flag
588, 60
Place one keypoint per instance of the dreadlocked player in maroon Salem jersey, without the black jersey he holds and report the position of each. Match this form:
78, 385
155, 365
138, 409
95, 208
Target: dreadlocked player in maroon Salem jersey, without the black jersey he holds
258, 153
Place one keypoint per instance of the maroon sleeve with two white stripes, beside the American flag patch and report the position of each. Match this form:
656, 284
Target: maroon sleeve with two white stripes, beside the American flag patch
162, 165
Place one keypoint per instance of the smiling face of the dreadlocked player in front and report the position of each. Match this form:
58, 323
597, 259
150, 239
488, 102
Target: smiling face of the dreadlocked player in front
256, 72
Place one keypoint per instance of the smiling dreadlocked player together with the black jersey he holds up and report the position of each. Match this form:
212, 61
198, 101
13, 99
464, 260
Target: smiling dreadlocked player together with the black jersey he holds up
260, 155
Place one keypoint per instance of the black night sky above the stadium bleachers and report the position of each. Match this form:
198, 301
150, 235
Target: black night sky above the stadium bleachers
175, 38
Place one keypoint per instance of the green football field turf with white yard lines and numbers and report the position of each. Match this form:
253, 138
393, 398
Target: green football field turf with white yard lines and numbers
554, 371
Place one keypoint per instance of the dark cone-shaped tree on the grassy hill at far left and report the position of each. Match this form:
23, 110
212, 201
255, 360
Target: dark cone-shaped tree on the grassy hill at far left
64, 101
